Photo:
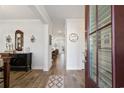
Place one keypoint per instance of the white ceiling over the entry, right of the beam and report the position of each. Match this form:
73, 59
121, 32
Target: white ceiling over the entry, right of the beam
59, 13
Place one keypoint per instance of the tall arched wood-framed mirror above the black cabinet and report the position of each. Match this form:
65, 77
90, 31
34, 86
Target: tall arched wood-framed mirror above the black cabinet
19, 40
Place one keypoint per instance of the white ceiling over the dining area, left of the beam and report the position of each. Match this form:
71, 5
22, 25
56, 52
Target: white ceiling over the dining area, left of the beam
17, 12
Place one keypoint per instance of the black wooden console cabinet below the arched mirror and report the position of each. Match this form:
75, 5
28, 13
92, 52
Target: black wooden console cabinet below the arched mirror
21, 61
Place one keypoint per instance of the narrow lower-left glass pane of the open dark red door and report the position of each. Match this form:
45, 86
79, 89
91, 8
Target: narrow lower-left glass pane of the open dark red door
93, 57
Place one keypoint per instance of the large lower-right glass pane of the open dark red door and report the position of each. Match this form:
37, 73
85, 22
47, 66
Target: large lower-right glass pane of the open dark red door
104, 58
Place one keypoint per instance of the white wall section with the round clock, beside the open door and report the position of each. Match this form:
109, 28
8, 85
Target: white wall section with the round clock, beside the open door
74, 50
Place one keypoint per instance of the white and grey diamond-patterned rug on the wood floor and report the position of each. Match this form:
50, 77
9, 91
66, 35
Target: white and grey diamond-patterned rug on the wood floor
55, 81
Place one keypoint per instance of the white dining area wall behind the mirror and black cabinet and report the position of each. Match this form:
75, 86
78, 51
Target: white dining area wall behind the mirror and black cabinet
29, 27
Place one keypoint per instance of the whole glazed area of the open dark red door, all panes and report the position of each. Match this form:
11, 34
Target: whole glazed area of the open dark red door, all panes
101, 40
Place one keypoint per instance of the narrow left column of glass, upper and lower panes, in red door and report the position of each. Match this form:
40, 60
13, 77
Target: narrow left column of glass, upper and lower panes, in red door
93, 41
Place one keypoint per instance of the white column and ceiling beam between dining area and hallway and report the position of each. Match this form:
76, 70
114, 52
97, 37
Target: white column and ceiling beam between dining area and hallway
46, 20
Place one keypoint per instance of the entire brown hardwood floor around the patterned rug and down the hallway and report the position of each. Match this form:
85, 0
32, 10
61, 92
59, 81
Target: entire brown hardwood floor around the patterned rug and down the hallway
39, 78
